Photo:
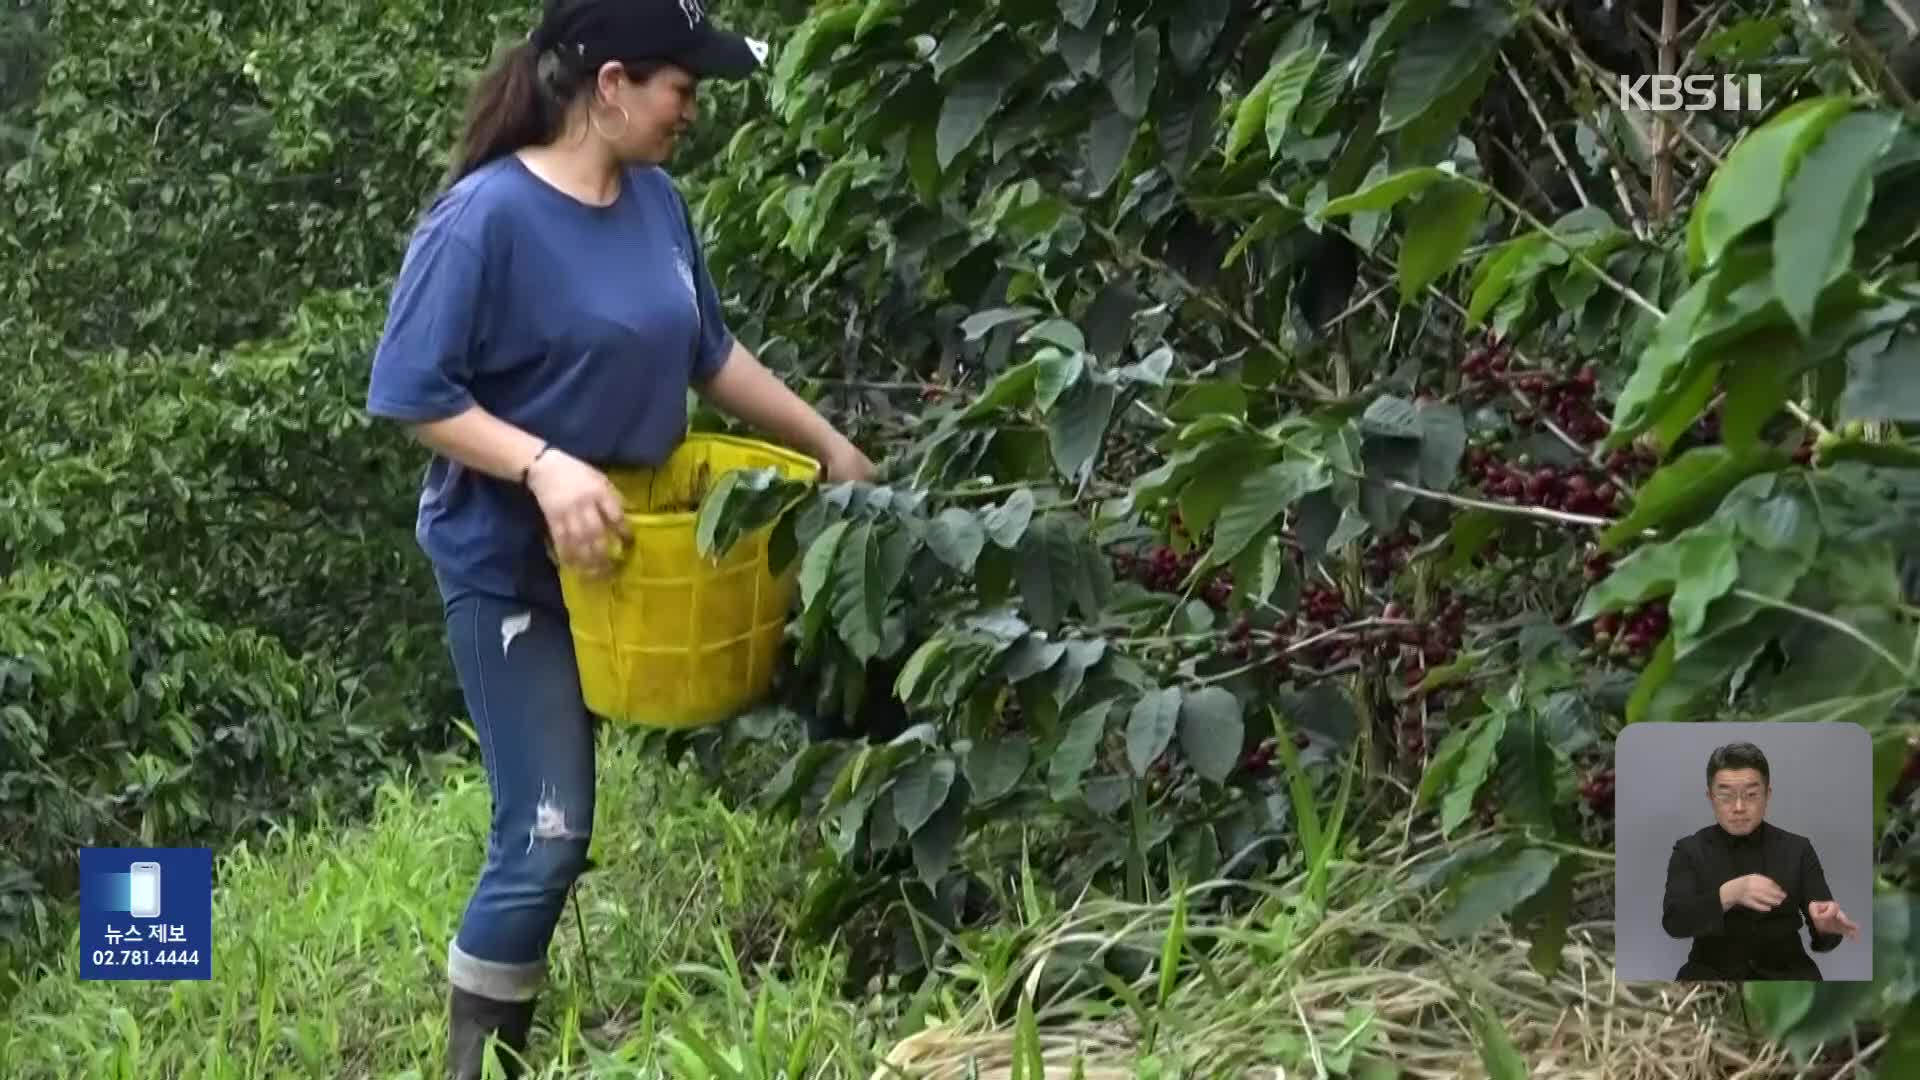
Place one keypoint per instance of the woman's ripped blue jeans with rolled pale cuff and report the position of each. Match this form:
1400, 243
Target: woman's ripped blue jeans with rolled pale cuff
516, 664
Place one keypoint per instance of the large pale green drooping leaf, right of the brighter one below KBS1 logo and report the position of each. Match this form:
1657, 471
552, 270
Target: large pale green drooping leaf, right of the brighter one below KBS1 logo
1825, 207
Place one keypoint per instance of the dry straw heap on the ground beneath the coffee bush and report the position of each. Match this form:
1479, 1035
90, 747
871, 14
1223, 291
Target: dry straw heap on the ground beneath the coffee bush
1364, 952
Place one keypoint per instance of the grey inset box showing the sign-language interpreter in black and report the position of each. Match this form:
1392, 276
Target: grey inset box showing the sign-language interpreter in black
1744, 852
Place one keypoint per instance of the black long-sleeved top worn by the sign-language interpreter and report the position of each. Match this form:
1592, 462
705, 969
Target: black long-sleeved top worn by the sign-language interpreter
1744, 945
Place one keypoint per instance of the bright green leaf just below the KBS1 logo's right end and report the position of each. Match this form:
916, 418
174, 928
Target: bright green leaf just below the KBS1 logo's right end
1746, 189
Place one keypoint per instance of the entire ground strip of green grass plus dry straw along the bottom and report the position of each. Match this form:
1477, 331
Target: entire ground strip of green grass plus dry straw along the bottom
331, 945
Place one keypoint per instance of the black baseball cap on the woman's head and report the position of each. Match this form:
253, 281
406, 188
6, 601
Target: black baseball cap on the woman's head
629, 32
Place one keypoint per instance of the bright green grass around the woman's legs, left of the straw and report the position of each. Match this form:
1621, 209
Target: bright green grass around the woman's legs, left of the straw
329, 954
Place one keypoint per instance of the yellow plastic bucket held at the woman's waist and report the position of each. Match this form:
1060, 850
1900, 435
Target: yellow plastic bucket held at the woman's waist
673, 639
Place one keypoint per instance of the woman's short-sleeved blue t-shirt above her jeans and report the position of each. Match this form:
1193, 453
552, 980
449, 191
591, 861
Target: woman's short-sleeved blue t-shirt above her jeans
583, 326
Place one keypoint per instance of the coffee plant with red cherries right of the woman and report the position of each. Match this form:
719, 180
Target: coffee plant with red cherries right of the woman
1251, 422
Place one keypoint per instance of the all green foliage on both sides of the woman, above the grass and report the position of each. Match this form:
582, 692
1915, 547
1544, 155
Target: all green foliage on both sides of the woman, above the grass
1138, 258
